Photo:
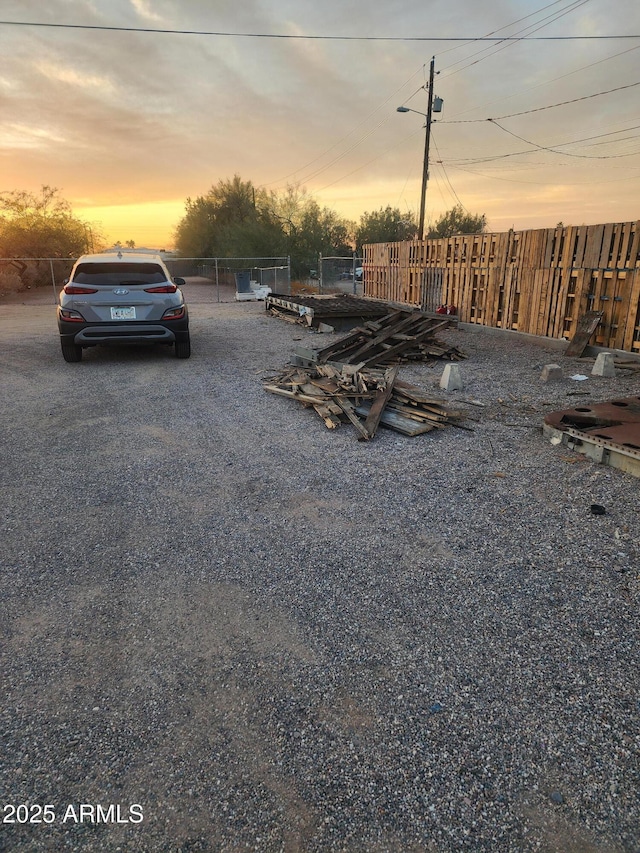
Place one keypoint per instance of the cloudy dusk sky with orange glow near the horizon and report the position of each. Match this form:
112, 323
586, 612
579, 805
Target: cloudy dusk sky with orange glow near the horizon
129, 124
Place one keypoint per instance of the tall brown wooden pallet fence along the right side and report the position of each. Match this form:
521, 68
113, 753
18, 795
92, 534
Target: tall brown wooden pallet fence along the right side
540, 281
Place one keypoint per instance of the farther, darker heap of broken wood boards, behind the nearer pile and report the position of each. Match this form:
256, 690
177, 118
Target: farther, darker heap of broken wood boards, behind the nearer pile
401, 335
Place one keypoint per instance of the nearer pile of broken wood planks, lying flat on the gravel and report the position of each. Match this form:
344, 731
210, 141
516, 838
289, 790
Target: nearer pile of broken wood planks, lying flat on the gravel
365, 397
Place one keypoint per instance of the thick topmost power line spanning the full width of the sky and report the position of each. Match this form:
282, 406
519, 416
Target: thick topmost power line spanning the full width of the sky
292, 36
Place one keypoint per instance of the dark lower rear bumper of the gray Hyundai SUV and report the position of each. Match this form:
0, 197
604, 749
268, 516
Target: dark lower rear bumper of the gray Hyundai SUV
92, 334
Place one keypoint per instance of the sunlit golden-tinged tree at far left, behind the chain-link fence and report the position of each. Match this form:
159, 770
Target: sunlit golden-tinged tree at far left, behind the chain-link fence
41, 226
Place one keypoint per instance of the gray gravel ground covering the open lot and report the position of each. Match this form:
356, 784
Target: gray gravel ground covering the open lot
270, 636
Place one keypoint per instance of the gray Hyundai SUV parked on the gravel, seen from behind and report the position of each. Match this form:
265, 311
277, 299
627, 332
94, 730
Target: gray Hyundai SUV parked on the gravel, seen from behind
122, 298
